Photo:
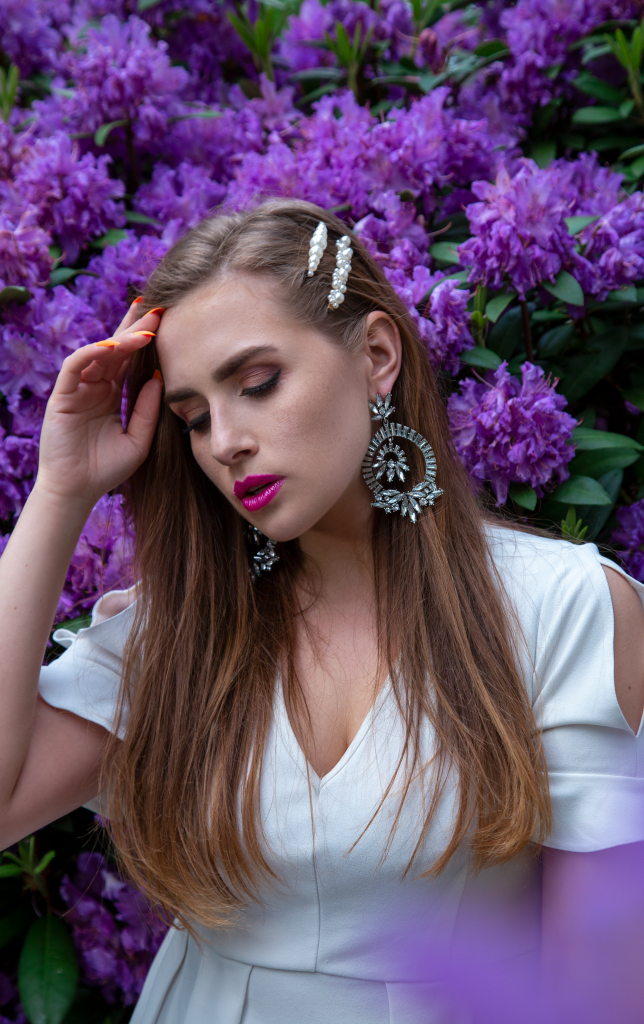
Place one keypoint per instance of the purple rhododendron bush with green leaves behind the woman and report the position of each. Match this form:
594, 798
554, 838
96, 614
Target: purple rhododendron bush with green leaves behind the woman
490, 155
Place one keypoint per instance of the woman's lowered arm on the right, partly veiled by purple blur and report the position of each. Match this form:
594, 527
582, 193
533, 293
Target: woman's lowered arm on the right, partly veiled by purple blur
593, 918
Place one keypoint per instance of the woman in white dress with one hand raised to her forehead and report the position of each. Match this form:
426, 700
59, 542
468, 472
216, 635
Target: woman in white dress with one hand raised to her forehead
330, 770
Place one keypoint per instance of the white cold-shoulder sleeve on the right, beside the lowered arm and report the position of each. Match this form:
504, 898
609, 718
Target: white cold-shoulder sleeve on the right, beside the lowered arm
595, 760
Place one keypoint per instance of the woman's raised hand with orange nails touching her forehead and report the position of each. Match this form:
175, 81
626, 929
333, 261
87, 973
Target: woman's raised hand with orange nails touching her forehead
84, 451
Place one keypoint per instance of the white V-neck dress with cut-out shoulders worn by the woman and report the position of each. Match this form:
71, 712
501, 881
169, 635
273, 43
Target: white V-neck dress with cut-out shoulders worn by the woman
346, 938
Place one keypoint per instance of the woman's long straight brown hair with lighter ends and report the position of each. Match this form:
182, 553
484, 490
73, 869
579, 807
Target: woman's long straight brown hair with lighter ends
201, 665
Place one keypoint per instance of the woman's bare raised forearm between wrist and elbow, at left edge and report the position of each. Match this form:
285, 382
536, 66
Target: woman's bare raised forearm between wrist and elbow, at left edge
32, 575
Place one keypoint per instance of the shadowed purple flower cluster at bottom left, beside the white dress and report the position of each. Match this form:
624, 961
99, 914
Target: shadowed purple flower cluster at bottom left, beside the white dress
115, 931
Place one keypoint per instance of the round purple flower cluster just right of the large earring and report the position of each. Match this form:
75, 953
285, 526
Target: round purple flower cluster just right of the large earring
509, 432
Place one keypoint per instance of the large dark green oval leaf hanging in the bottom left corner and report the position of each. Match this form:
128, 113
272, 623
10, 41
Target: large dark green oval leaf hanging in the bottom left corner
48, 971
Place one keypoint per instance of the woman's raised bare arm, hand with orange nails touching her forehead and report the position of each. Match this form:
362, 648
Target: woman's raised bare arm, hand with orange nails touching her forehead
50, 759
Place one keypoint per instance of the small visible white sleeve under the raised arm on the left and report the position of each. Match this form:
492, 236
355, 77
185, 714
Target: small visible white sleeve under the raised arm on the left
85, 679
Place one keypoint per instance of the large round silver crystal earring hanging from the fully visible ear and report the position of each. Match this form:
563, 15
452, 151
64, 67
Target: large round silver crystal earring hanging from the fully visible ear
385, 459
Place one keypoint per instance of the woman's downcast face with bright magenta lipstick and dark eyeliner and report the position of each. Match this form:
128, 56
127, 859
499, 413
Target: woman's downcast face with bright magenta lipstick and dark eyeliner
278, 414
